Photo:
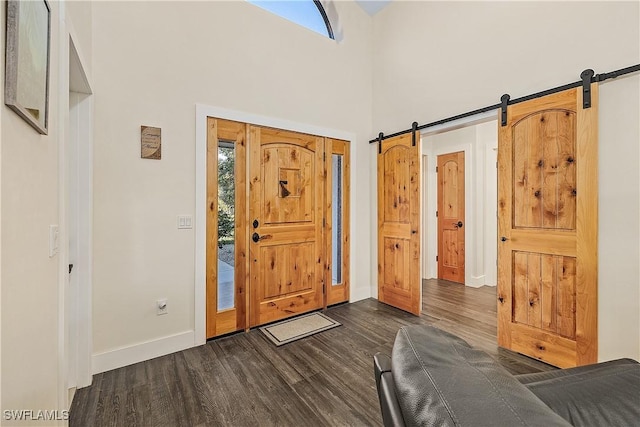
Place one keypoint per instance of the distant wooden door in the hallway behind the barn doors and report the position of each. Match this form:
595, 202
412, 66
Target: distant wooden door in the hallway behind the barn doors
451, 217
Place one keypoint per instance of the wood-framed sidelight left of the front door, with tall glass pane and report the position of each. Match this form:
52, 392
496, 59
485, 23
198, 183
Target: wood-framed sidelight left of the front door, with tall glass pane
226, 279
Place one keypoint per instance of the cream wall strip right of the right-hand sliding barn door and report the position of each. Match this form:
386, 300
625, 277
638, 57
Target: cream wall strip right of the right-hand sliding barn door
619, 219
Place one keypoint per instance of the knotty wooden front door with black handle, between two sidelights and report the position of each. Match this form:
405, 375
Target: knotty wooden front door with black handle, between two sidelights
286, 207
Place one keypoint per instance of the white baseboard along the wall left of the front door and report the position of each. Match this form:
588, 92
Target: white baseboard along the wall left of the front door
129, 355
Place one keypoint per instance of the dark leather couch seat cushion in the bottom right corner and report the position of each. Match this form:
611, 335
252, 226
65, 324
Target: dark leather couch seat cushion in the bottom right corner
605, 394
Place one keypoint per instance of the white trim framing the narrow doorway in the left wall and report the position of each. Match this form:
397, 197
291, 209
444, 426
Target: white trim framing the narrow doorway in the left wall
82, 130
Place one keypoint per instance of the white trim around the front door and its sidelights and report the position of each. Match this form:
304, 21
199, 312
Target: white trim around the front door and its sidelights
202, 112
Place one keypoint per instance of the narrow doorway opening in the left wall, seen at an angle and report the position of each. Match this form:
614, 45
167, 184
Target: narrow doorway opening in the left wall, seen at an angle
78, 212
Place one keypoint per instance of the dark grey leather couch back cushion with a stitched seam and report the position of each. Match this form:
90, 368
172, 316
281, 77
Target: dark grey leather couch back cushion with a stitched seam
441, 381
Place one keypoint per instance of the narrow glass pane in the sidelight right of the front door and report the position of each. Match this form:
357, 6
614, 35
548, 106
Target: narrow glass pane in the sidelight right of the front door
337, 215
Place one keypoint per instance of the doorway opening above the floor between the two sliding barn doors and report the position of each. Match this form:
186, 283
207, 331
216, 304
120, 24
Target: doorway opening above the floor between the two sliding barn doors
472, 244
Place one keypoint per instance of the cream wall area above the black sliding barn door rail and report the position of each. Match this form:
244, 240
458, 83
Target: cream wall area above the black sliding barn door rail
437, 59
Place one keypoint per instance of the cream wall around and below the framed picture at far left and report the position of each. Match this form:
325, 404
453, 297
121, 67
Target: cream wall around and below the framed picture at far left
29, 204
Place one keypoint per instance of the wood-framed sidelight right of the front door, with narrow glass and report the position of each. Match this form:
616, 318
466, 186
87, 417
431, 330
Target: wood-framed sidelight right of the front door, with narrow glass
337, 220
